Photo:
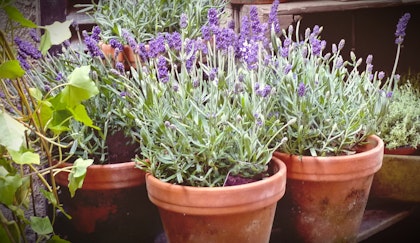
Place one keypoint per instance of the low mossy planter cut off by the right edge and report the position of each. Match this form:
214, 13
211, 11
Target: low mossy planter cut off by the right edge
398, 179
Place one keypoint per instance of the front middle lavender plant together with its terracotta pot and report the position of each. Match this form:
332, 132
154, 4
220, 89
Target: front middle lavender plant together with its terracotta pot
204, 119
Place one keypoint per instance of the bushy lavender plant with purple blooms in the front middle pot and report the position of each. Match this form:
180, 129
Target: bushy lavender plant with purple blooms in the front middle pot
203, 107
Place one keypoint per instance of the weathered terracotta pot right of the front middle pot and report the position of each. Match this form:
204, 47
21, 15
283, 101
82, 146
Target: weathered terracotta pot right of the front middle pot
326, 196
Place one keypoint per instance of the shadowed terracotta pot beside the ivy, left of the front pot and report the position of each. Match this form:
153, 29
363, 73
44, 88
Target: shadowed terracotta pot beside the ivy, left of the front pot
113, 199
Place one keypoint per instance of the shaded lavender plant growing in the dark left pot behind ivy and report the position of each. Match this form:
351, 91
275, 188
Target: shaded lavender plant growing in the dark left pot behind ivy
109, 126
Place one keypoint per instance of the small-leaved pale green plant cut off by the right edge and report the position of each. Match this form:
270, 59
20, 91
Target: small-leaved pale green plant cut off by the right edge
401, 125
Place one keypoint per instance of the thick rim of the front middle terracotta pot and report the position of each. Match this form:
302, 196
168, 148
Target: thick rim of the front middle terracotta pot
218, 200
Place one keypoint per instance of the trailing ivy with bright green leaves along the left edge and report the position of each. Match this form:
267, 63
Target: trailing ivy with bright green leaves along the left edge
28, 136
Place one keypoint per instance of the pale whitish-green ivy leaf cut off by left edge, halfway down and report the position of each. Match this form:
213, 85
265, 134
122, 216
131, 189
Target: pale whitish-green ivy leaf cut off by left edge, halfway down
12, 132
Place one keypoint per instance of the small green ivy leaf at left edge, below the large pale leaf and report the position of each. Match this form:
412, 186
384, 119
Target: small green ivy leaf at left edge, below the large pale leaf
9, 185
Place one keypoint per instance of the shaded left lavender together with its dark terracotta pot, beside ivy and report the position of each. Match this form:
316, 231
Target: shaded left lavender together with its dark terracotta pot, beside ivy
113, 196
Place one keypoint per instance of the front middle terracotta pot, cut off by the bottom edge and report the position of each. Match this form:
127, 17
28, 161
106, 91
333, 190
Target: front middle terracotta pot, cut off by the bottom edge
242, 213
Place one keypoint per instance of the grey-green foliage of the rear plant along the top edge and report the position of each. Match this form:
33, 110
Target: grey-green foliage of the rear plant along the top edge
146, 18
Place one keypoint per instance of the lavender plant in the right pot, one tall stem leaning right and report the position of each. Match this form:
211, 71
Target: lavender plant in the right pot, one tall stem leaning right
337, 103
